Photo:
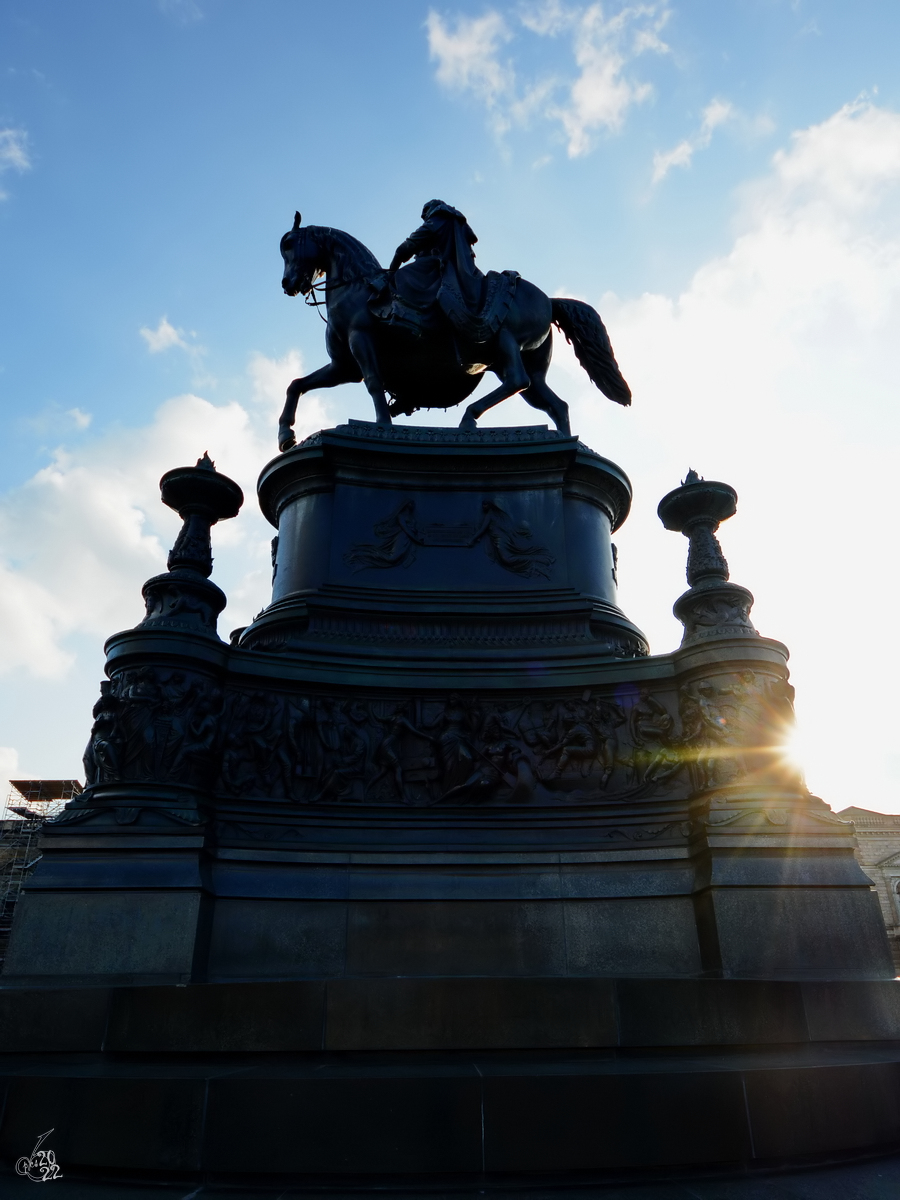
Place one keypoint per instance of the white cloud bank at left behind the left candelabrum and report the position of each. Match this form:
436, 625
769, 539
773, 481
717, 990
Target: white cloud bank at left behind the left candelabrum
82, 536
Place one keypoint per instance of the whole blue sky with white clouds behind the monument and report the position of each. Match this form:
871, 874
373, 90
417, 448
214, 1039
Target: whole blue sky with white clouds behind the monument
721, 181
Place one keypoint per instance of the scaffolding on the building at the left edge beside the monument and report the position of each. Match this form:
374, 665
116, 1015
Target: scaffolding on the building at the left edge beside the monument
29, 805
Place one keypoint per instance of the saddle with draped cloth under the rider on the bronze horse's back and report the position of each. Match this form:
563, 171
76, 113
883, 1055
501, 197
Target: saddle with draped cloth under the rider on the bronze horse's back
419, 298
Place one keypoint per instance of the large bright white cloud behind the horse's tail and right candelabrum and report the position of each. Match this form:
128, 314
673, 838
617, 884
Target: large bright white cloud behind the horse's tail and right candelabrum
777, 370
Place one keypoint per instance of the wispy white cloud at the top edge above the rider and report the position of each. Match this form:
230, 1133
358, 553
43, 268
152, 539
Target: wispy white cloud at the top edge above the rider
592, 94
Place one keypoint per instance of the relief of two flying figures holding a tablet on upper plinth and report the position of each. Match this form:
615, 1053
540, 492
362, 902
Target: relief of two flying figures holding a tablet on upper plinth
508, 544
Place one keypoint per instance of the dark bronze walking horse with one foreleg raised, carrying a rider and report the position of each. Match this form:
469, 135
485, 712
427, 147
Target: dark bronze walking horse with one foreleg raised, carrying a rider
376, 334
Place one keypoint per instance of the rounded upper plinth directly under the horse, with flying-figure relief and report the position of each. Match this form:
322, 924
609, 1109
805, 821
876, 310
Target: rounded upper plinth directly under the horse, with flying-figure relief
443, 557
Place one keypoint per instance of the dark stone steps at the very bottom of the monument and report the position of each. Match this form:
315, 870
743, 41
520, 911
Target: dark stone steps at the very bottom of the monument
449, 1083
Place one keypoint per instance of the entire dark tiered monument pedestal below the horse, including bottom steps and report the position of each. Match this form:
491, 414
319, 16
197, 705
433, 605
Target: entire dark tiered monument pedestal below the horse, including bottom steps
434, 878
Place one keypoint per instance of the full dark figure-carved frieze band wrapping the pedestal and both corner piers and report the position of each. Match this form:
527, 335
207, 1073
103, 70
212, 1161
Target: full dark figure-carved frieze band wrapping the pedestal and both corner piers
153, 725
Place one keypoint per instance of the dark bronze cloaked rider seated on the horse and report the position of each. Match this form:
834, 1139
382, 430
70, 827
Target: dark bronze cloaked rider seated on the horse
445, 269
